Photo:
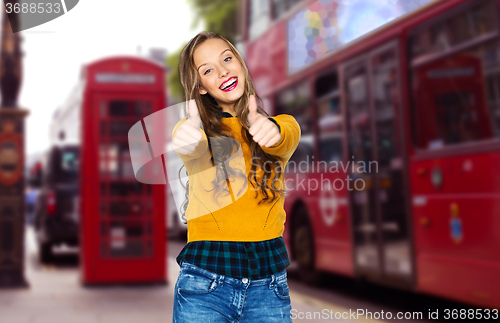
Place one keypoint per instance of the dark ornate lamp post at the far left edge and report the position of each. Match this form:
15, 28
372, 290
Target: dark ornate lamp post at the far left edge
12, 209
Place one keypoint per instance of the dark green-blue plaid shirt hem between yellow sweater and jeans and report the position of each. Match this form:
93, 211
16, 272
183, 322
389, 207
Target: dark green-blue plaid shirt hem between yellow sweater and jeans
237, 259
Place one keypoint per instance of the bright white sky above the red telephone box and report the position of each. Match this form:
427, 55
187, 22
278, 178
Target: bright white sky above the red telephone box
55, 51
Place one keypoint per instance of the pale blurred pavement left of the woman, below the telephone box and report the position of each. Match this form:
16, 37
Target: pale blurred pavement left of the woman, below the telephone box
56, 296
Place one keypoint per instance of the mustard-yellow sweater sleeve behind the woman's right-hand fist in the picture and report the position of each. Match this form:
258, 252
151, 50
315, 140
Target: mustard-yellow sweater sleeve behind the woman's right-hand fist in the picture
290, 136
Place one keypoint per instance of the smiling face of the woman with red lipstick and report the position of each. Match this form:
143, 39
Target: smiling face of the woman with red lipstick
220, 73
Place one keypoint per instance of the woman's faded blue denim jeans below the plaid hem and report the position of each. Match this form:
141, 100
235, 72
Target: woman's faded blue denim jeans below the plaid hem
204, 296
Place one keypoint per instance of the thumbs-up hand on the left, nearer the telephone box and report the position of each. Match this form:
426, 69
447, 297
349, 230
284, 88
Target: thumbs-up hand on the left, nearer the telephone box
188, 135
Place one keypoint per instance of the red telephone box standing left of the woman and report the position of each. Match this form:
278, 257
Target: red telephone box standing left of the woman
122, 231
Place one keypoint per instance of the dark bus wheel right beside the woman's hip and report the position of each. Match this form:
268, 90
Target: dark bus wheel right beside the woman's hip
303, 245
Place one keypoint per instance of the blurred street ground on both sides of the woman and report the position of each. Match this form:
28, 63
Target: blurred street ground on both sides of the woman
56, 296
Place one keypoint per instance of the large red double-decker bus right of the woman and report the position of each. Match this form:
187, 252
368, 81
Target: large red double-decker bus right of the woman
396, 177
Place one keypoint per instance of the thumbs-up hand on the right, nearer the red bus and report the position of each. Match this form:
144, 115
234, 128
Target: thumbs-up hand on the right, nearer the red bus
263, 130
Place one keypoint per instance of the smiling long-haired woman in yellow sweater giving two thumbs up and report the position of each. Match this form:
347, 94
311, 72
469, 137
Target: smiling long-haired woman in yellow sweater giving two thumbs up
233, 266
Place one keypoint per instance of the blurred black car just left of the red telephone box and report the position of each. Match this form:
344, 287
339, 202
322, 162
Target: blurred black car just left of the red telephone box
56, 208
